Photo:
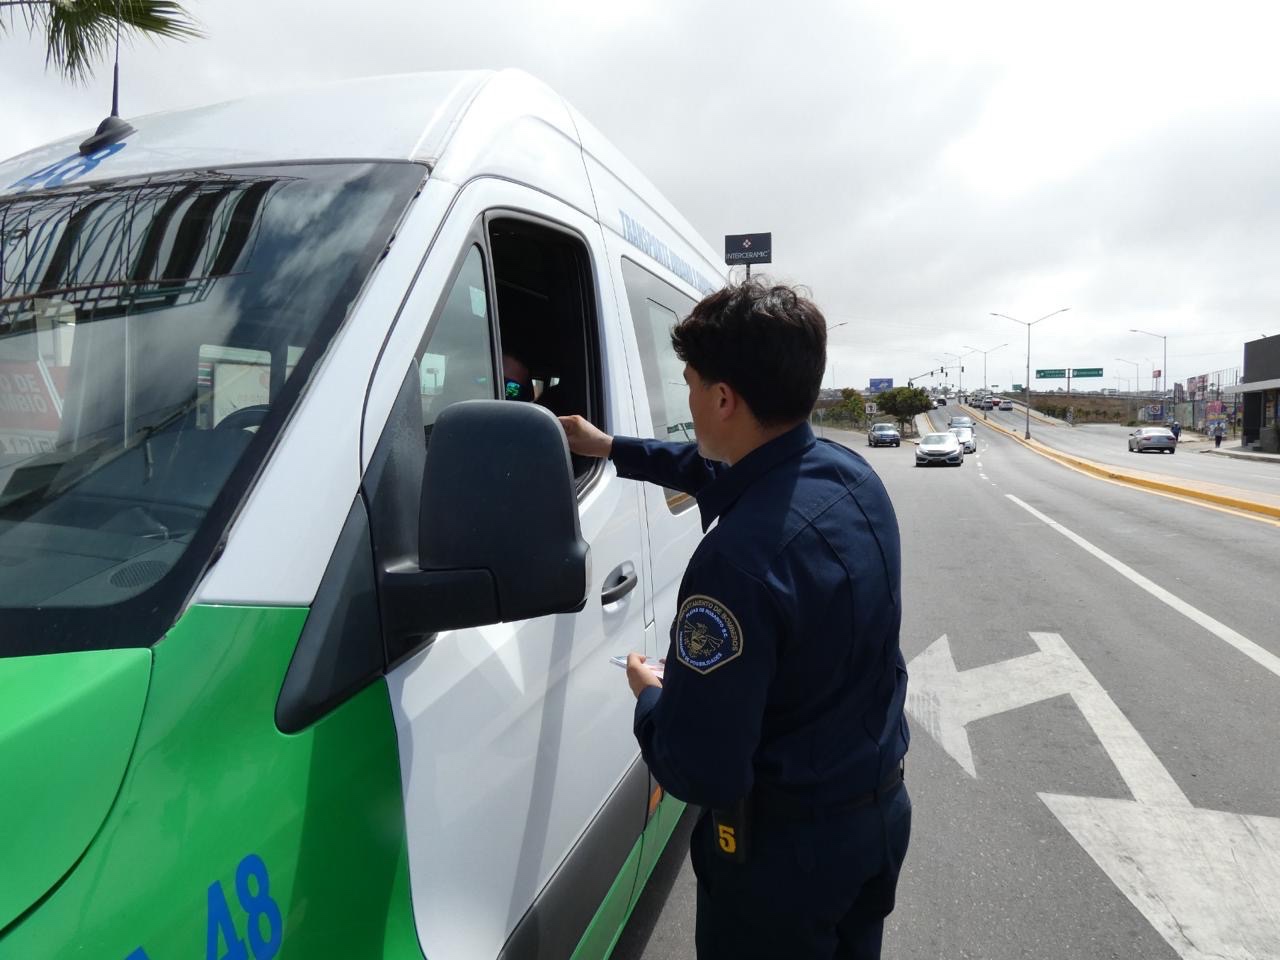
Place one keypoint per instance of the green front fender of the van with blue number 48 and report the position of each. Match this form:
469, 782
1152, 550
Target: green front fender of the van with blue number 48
227, 831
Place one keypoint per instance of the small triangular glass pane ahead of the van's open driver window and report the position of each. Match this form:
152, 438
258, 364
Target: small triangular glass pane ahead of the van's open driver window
455, 362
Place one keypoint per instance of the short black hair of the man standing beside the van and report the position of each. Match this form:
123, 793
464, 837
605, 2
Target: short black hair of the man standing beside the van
767, 342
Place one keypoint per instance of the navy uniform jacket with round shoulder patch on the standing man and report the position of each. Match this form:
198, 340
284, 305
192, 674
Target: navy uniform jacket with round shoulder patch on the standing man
784, 671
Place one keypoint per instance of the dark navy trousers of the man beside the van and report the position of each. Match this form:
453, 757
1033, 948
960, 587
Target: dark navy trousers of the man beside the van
813, 890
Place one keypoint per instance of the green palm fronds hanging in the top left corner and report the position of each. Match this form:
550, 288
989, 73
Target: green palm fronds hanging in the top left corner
81, 33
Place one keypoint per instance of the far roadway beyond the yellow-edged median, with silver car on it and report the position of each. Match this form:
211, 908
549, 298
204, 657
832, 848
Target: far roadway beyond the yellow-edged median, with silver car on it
1109, 444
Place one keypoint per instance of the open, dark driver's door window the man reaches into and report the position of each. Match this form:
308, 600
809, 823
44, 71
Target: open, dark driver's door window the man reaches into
550, 346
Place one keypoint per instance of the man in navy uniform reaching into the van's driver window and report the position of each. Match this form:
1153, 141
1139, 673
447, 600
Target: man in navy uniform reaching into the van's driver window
781, 712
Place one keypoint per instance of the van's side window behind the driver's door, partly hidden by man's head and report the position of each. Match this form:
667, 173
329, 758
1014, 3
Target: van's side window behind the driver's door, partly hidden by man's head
656, 308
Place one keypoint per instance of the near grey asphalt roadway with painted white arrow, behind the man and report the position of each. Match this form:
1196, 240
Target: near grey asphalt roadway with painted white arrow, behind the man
1123, 799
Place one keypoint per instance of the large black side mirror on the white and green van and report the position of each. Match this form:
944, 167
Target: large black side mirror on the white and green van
499, 528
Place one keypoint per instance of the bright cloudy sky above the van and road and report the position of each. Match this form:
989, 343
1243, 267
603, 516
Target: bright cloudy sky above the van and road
921, 164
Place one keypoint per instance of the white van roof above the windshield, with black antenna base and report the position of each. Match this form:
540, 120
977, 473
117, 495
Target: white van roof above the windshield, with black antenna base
463, 125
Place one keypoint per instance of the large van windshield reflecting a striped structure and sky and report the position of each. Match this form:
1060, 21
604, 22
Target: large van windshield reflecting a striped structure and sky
154, 335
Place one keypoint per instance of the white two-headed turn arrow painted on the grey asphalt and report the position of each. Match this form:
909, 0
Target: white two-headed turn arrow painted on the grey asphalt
1208, 881
